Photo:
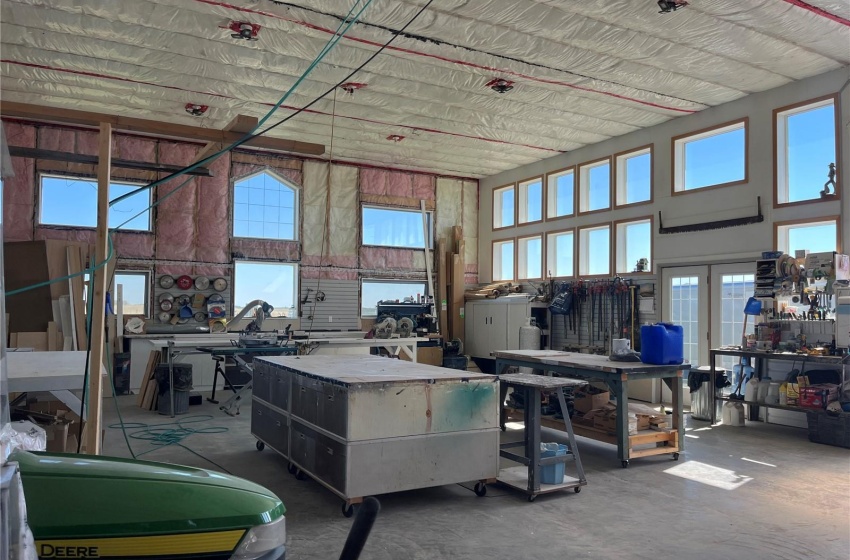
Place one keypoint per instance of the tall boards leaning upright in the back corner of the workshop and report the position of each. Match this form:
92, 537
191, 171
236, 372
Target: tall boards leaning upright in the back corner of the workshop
451, 268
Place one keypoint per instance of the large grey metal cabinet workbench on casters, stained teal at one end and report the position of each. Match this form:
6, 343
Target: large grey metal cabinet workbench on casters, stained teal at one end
368, 425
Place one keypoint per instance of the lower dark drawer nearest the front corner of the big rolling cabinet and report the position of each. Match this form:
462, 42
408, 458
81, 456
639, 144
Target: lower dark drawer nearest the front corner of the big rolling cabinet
319, 455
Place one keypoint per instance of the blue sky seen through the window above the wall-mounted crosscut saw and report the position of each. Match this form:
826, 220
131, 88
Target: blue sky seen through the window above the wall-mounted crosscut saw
714, 160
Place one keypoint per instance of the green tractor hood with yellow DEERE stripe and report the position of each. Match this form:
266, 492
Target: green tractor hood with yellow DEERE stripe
182, 510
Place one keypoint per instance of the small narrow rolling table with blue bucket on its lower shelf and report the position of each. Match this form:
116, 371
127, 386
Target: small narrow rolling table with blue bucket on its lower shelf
528, 478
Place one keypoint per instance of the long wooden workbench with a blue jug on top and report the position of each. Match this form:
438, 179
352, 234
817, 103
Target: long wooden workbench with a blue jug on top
616, 375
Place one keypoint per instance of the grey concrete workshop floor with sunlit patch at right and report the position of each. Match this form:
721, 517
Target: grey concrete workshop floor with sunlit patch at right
762, 491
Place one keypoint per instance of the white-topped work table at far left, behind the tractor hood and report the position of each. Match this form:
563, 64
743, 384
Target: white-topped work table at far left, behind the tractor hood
58, 373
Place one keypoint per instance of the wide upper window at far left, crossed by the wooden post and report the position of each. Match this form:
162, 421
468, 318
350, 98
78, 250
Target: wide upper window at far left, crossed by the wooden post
72, 201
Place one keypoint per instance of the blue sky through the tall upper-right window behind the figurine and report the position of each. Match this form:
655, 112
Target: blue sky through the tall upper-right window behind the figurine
810, 150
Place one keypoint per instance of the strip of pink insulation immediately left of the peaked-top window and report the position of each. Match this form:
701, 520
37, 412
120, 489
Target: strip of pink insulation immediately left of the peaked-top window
213, 225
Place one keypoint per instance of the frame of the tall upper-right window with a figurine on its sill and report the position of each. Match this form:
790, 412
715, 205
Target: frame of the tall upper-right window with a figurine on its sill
781, 149
